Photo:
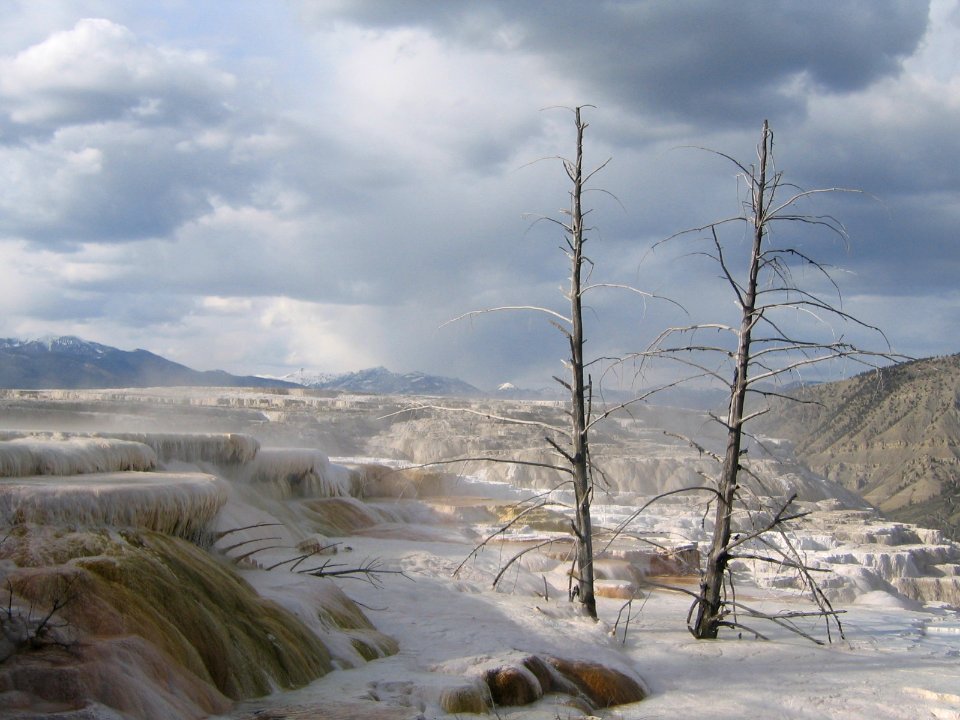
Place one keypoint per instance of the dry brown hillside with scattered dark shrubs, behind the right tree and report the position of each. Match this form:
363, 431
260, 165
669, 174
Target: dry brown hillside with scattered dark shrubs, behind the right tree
892, 435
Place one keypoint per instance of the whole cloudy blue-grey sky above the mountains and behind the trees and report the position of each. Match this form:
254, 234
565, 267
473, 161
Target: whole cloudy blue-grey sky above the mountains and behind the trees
262, 186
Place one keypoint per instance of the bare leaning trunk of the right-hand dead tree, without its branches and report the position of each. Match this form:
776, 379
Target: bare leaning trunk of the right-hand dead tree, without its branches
709, 613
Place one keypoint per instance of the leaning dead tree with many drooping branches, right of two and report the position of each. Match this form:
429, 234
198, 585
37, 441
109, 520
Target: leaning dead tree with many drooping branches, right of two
763, 352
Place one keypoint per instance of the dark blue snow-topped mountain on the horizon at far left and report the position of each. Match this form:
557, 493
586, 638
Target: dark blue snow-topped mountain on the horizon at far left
69, 362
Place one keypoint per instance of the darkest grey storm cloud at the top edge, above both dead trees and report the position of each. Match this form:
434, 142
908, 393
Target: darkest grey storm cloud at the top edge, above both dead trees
700, 62
